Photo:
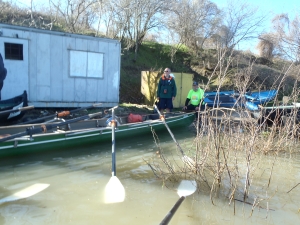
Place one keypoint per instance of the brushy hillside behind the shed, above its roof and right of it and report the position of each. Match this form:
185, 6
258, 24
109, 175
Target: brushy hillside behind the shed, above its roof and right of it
235, 70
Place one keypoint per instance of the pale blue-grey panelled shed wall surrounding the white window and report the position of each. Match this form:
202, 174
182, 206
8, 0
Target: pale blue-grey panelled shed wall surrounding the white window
48, 68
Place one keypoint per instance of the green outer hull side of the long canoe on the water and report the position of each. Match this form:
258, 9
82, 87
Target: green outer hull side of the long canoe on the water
89, 136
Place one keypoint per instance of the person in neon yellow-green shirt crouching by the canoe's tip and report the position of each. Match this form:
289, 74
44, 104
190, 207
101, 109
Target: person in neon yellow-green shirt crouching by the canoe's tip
194, 97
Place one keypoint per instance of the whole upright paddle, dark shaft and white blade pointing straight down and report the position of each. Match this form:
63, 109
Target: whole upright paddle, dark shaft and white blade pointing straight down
114, 190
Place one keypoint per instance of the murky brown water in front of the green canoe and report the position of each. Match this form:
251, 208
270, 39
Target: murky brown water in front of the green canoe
78, 177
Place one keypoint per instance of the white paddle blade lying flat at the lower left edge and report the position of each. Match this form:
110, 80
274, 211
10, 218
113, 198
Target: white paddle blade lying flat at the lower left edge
25, 193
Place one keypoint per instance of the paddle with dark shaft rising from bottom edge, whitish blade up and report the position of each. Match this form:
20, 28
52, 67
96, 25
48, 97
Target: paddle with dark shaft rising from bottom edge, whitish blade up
186, 188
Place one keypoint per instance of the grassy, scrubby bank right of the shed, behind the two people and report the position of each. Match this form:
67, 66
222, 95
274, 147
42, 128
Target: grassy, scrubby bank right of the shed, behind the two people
238, 69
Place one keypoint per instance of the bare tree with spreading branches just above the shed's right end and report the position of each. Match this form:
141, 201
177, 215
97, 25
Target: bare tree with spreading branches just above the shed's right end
130, 21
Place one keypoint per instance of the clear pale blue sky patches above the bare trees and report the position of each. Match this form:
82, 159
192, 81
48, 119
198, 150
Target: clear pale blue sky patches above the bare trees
270, 8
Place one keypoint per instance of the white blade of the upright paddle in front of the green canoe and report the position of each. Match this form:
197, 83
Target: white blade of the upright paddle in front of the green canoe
114, 191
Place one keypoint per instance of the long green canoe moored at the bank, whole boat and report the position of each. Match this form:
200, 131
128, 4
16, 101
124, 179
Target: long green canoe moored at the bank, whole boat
82, 133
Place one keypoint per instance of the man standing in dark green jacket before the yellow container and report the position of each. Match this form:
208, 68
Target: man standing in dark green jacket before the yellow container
166, 91
